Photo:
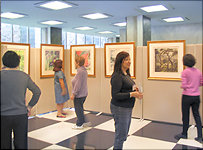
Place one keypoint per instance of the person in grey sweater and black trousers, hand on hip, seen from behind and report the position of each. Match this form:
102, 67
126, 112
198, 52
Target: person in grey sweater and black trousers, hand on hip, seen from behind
14, 112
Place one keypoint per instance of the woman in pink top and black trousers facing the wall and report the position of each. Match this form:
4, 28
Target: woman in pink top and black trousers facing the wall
191, 79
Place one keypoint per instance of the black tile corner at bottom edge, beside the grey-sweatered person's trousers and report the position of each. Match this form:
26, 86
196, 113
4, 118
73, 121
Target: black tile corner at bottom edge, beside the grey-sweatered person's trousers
37, 144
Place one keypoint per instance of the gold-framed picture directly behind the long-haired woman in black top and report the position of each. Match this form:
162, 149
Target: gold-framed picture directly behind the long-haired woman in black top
110, 52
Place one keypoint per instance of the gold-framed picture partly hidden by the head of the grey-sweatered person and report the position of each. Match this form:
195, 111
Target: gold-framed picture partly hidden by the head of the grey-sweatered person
23, 50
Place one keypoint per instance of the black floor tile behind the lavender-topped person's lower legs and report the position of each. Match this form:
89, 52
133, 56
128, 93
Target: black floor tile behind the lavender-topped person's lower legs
95, 120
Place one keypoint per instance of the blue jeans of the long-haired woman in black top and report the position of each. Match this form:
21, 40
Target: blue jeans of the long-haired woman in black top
122, 119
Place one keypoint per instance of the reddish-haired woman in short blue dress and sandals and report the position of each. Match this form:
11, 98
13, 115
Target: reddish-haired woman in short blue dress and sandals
61, 88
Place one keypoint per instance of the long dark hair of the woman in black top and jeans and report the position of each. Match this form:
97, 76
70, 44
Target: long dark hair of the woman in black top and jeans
118, 62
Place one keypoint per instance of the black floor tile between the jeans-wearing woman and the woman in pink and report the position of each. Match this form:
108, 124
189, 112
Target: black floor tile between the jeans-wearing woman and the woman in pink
159, 131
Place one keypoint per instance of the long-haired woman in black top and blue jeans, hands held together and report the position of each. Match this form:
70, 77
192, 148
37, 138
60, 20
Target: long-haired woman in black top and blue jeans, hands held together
123, 92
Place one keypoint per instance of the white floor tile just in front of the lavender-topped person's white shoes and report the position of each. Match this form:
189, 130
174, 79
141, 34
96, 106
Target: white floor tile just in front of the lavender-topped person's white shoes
55, 133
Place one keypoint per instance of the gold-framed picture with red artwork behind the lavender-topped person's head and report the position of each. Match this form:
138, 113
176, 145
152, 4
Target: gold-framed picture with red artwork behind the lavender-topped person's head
86, 51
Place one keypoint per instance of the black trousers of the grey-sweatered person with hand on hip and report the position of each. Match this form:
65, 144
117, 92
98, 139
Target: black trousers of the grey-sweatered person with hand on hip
19, 125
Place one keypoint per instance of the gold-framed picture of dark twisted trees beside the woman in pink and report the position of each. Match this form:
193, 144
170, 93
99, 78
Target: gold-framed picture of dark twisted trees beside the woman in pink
165, 59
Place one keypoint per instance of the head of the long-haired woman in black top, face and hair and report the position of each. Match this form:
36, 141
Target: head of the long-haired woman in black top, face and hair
122, 62
